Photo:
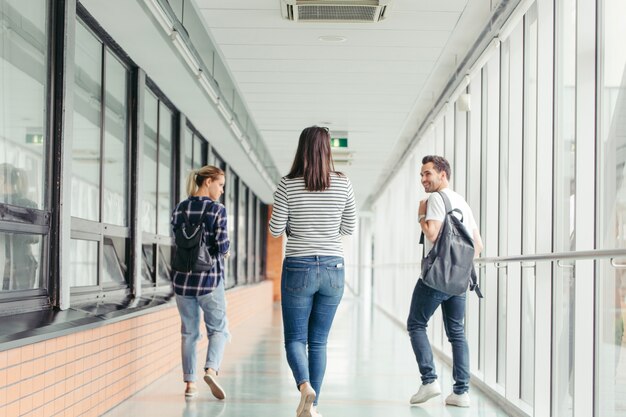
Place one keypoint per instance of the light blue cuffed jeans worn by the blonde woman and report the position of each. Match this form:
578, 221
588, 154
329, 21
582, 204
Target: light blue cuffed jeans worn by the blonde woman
213, 305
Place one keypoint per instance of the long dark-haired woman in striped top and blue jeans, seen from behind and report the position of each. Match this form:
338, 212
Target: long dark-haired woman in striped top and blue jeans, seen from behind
314, 205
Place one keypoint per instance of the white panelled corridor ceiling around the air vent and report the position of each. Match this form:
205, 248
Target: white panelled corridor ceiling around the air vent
377, 85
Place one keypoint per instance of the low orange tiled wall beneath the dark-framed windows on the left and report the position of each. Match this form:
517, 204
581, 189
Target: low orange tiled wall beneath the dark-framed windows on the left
89, 372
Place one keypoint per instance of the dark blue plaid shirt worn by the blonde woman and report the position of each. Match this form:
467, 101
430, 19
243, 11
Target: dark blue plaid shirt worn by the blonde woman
216, 237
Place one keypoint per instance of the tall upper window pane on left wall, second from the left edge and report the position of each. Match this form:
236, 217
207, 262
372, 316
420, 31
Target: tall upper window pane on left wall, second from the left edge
86, 153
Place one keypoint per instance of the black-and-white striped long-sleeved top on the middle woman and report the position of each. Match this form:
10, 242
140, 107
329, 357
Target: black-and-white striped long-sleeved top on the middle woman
313, 220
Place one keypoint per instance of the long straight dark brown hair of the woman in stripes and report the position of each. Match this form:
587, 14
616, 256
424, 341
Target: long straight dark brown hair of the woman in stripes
313, 160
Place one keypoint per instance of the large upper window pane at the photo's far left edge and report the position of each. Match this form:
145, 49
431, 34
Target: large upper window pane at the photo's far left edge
23, 82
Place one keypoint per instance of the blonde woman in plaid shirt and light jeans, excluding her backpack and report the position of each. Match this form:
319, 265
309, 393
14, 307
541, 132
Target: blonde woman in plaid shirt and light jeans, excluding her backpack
203, 290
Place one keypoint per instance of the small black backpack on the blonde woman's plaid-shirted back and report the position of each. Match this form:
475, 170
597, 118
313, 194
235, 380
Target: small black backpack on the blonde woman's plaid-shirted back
192, 252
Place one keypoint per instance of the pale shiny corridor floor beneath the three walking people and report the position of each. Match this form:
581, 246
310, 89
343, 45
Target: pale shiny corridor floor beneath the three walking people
371, 372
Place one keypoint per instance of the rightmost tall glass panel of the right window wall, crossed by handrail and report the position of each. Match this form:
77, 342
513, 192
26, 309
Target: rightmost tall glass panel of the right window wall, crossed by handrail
611, 233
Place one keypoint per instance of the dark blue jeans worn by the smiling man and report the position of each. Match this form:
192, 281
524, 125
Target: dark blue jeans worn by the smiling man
423, 305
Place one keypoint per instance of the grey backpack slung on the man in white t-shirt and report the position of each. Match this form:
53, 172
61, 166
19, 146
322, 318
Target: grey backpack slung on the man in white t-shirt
449, 266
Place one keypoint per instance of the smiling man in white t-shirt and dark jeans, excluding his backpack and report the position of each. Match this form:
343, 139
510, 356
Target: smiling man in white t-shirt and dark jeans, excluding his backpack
435, 174
